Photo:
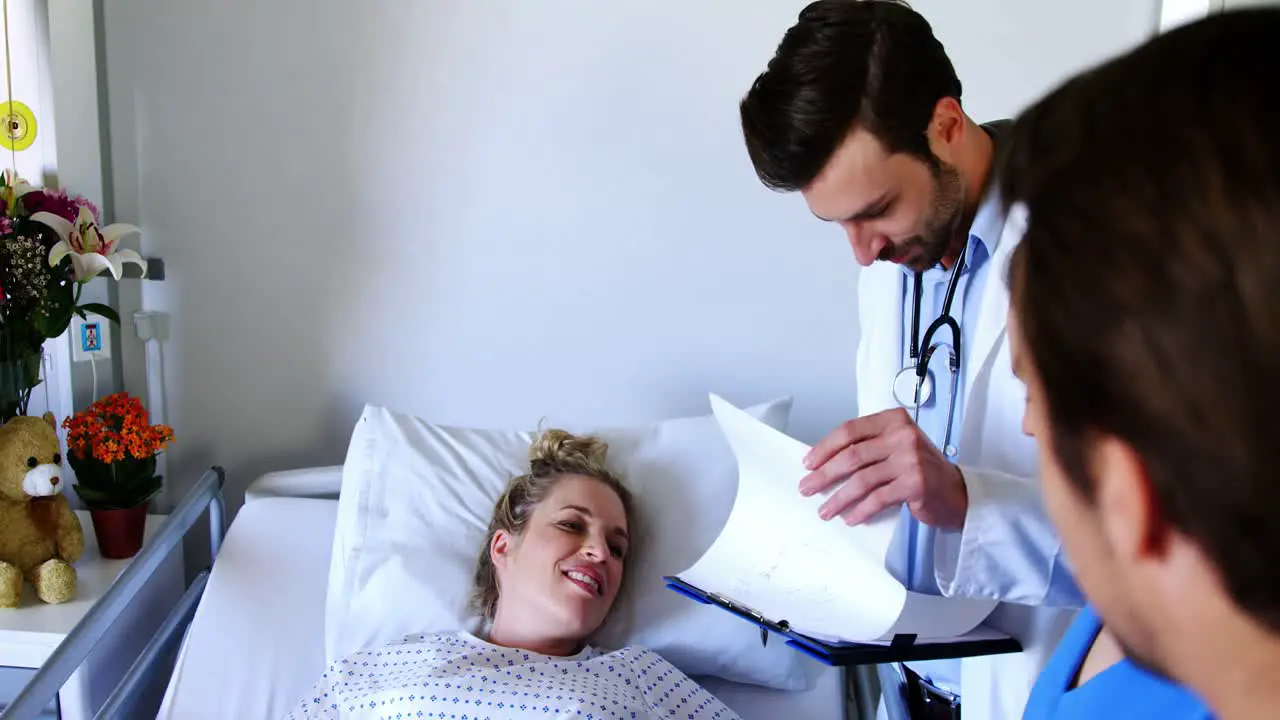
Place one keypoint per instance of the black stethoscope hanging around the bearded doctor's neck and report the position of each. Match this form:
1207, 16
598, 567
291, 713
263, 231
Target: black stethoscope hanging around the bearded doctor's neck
913, 385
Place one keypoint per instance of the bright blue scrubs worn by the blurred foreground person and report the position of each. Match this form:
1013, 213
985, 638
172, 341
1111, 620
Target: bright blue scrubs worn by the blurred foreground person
1121, 691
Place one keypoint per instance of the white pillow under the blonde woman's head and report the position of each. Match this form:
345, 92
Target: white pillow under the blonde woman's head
415, 505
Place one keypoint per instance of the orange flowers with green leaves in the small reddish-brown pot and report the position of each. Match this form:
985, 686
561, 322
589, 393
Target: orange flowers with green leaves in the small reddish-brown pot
112, 446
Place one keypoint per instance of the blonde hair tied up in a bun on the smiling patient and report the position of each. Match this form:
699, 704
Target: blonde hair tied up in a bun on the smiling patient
554, 455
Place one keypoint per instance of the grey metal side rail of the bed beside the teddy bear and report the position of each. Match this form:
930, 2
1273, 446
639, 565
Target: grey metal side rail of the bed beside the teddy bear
68, 657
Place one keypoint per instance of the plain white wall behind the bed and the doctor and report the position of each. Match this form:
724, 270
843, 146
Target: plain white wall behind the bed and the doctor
490, 213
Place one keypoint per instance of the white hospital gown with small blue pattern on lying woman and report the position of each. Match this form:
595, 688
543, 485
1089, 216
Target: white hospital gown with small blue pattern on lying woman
460, 677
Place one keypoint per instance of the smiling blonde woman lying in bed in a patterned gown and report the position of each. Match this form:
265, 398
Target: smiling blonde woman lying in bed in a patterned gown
547, 578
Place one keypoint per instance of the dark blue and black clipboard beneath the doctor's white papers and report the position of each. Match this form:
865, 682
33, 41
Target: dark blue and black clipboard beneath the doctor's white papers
902, 649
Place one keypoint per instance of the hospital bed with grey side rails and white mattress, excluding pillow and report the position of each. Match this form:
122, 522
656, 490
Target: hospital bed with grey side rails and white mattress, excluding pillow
248, 637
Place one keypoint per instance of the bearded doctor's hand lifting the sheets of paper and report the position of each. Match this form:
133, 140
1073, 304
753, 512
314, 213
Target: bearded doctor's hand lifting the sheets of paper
885, 461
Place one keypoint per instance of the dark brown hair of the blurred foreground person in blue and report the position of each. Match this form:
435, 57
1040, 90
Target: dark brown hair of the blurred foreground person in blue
1146, 284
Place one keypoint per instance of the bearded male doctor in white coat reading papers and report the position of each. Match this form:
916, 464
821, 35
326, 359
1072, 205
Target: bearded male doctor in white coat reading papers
860, 111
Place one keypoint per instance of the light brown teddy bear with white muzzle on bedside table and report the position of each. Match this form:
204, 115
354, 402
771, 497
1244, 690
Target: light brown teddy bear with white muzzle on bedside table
40, 536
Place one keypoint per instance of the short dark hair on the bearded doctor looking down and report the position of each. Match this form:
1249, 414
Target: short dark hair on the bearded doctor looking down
872, 63
